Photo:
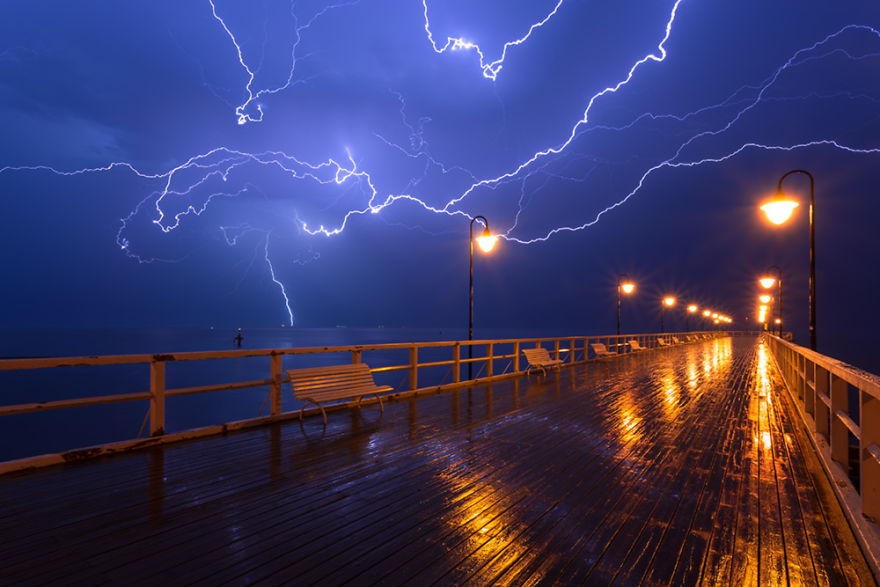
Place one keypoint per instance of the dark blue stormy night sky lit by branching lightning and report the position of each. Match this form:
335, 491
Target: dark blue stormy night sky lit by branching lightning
355, 105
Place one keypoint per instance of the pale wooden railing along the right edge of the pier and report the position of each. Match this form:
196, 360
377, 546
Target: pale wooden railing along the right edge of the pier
839, 406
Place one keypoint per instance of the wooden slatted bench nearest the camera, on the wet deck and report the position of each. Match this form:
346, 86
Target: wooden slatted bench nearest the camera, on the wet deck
338, 382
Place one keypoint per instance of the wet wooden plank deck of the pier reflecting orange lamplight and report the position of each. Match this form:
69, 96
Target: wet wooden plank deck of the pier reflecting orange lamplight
675, 467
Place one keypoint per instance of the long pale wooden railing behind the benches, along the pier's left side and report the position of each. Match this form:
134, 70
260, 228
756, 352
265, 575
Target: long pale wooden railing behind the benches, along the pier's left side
157, 392
